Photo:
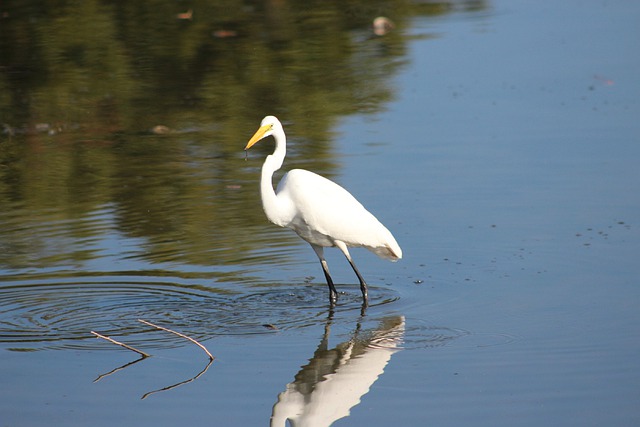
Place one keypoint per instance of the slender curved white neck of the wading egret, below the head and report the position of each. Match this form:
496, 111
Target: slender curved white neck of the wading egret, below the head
275, 209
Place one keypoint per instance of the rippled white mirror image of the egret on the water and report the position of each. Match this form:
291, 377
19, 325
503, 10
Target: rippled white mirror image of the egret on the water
334, 380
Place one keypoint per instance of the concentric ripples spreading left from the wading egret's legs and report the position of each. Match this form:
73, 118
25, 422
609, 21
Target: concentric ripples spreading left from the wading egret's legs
61, 315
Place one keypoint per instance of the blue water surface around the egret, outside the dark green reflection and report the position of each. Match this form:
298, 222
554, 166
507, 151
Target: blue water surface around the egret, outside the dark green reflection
506, 167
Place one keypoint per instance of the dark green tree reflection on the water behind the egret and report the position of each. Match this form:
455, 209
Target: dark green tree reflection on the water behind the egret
123, 118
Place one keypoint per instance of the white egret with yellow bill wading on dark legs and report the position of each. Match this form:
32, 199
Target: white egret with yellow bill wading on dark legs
319, 210
